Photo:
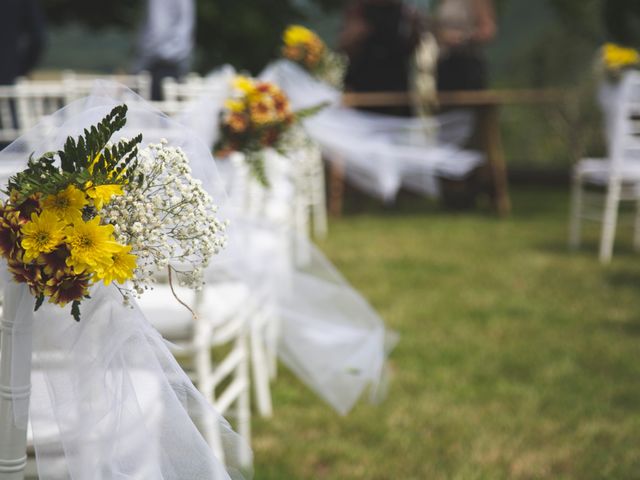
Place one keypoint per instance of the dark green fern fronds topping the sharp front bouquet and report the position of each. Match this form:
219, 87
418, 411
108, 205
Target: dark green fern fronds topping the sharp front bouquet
89, 158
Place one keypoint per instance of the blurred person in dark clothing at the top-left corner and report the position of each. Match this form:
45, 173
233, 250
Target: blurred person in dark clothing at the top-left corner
22, 36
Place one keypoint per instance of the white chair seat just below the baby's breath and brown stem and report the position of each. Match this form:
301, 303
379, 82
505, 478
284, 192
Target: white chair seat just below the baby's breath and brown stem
175, 322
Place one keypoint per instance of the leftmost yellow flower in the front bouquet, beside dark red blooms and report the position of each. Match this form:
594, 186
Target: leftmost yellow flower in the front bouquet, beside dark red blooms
42, 234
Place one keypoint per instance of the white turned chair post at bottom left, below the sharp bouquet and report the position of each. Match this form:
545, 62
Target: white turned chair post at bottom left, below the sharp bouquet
13, 440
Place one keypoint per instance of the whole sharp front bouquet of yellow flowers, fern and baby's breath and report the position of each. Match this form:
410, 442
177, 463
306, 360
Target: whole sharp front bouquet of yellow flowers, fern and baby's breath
106, 212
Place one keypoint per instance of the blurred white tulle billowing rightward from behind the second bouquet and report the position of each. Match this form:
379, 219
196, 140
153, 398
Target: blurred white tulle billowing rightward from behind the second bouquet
380, 153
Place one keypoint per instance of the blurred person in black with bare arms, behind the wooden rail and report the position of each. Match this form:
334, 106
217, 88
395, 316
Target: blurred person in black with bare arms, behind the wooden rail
379, 37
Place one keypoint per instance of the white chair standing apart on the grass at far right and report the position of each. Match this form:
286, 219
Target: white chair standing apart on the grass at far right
618, 175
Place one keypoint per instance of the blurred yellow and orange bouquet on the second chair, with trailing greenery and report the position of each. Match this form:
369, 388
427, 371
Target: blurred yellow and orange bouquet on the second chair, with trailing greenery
256, 117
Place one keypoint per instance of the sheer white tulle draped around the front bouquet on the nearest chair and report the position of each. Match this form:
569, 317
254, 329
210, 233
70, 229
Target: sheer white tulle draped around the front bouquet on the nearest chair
108, 399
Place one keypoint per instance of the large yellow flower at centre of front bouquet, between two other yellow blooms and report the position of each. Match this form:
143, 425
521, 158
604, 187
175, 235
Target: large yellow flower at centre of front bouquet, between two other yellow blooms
91, 245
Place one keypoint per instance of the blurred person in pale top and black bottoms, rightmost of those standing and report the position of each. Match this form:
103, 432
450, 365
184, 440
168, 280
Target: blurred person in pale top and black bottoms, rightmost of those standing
463, 28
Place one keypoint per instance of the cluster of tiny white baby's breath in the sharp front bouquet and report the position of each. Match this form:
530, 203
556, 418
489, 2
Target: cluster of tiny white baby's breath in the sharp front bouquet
168, 219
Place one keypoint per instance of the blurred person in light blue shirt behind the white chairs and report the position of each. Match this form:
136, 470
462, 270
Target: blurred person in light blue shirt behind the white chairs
166, 41
